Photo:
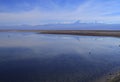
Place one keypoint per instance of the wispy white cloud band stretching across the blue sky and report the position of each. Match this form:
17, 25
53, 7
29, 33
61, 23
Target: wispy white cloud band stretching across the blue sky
91, 10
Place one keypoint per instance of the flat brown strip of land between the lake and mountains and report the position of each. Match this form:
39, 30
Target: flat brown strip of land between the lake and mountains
113, 33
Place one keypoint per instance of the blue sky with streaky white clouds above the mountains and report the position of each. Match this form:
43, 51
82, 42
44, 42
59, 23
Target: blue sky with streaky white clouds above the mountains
37, 12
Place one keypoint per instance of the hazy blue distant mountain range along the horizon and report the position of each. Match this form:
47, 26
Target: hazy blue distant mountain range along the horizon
73, 26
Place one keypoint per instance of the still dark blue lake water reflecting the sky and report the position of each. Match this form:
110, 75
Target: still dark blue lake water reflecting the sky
30, 57
